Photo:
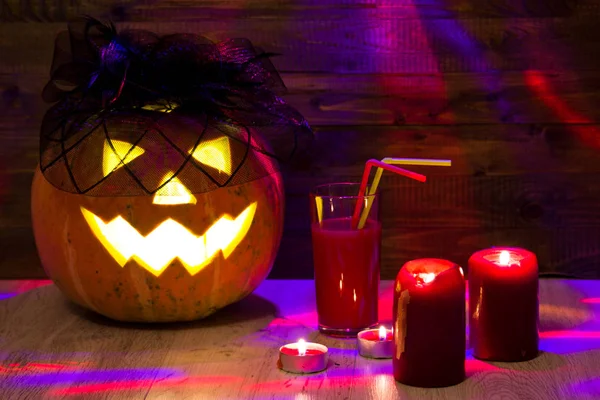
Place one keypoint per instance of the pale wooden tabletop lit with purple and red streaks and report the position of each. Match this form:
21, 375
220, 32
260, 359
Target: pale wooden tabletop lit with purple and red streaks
51, 349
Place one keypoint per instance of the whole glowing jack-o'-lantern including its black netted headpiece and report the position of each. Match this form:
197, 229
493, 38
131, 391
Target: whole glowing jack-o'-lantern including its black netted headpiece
157, 198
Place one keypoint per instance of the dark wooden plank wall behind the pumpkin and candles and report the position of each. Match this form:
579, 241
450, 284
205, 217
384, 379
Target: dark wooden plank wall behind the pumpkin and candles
507, 89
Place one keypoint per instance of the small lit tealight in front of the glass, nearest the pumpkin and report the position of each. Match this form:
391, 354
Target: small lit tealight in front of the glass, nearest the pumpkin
303, 357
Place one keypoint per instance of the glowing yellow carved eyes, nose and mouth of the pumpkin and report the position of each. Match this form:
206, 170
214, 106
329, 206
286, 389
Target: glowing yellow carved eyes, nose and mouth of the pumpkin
170, 239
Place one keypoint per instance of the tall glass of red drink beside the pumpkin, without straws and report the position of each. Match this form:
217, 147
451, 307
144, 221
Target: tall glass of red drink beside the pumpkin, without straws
346, 262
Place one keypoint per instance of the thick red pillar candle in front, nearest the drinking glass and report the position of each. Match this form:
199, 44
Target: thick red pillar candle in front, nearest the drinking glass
429, 324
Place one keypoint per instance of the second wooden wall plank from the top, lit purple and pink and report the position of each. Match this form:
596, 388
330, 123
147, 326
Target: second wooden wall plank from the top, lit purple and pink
361, 43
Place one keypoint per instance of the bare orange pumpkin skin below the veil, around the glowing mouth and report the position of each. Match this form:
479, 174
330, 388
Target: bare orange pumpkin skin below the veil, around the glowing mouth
87, 274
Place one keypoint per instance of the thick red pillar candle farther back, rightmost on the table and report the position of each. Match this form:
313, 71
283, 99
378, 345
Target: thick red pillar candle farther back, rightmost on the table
503, 304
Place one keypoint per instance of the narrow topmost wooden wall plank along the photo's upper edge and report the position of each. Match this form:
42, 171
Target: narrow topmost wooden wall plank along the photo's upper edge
59, 11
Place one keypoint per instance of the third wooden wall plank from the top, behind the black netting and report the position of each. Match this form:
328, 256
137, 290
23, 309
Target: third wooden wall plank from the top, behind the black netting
380, 99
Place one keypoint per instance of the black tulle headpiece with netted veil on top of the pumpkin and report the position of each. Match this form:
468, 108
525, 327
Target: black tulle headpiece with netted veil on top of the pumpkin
169, 94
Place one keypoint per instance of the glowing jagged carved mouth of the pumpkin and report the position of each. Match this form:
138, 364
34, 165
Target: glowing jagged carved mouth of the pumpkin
170, 240
